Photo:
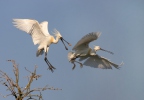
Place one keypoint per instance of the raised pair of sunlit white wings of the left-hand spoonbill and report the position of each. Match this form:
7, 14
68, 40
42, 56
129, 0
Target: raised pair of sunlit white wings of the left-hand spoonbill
33, 28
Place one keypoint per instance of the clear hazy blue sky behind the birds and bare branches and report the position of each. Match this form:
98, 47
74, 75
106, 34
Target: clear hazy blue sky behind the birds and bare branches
122, 25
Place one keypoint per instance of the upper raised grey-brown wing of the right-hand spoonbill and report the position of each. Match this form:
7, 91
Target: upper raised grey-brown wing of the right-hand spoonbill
84, 42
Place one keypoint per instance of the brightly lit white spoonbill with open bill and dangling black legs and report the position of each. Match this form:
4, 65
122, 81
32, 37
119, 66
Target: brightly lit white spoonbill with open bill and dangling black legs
40, 36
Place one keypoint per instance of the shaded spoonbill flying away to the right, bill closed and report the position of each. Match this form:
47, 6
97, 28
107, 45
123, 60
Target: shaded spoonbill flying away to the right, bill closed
84, 52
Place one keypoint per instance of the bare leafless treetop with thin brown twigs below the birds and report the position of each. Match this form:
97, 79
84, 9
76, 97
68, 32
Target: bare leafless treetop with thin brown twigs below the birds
21, 93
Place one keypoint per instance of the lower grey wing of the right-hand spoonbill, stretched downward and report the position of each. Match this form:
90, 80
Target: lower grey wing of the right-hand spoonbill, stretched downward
100, 62
